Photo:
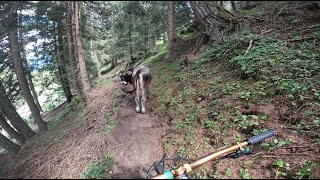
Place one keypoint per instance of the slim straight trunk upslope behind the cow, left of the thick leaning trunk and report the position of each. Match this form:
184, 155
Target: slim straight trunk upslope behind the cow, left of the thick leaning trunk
171, 28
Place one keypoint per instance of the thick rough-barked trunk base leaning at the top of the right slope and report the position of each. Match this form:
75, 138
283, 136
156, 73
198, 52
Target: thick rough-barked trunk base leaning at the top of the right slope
215, 19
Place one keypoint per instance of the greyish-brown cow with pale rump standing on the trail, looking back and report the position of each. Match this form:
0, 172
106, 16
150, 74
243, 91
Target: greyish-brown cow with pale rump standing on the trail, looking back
140, 78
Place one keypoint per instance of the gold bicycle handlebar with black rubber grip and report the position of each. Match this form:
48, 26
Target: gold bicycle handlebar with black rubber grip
186, 168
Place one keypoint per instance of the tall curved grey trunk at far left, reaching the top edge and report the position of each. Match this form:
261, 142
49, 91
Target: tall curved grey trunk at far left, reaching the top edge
14, 48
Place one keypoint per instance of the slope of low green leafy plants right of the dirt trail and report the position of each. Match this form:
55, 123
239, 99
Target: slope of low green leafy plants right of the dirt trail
225, 96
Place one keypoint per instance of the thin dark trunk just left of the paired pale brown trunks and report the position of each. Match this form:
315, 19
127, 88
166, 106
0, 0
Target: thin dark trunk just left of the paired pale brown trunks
62, 69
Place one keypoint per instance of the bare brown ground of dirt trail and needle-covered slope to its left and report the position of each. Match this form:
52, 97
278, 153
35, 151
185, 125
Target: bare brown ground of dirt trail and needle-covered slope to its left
108, 127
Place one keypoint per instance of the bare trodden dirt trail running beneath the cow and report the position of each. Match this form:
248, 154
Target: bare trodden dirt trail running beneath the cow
136, 137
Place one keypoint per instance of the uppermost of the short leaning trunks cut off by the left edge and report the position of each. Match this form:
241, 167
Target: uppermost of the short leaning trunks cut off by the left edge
10, 112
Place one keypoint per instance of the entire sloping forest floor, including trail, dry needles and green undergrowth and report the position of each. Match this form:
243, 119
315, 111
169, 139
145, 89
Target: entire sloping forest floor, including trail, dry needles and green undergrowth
264, 76
